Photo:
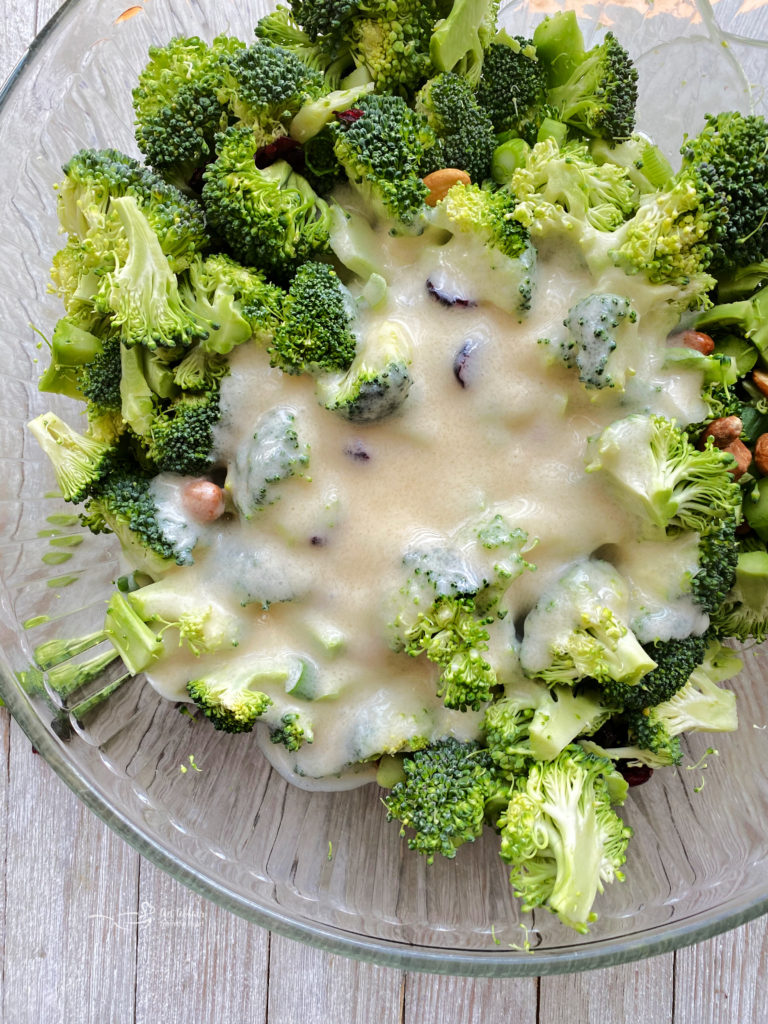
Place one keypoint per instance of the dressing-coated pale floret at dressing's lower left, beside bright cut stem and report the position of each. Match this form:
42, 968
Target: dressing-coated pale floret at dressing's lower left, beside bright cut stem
203, 625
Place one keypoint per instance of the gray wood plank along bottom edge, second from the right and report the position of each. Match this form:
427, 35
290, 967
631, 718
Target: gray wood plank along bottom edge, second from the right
632, 994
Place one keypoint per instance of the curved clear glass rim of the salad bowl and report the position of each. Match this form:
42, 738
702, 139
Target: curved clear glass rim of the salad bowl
610, 953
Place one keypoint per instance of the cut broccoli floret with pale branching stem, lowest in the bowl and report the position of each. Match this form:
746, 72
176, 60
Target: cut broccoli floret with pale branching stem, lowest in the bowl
562, 837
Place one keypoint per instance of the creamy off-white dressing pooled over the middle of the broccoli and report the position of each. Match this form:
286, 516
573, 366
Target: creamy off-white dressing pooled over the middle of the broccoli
318, 571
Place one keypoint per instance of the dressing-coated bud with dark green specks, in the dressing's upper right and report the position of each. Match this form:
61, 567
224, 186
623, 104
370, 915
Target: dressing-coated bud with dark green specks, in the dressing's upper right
593, 323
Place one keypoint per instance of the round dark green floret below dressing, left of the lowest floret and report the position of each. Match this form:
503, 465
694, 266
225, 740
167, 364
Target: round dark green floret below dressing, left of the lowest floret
443, 798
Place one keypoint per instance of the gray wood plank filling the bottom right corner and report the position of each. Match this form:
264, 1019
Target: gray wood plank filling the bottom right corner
729, 975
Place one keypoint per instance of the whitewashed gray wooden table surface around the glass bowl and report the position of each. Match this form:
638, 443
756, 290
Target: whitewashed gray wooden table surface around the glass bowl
93, 934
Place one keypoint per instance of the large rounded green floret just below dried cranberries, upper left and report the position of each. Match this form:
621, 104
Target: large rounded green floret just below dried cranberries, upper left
271, 218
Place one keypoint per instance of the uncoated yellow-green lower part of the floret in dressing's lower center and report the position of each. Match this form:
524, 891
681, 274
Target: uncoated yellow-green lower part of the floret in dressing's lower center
454, 636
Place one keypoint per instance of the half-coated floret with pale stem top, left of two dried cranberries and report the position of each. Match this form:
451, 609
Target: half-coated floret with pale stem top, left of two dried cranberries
378, 381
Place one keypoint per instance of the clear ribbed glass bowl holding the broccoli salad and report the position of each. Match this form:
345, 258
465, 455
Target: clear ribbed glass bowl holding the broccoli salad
326, 868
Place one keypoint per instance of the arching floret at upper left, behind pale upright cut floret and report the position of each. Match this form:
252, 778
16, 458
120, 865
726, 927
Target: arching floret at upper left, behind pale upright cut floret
95, 179
